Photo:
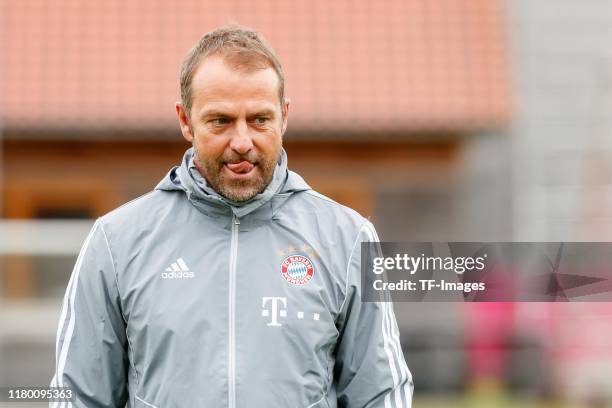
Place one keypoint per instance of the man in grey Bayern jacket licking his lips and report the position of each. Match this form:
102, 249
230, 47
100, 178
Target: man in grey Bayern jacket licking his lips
233, 283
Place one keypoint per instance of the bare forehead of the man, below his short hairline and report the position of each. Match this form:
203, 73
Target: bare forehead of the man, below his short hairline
217, 81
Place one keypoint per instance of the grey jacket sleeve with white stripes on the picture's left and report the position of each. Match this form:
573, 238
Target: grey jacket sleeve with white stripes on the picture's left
91, 344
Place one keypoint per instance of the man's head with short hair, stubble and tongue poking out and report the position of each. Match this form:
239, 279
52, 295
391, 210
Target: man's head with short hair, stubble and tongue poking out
233, 110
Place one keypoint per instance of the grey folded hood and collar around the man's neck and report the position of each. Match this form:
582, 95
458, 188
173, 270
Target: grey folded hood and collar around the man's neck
188, 179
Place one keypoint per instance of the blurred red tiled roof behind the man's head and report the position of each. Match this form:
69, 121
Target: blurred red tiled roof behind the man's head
398, 65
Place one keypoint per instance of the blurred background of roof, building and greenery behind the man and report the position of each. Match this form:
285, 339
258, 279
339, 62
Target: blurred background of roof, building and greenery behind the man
466, 120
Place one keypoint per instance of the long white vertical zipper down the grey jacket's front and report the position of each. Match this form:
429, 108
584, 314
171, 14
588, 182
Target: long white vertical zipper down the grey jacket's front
232, 313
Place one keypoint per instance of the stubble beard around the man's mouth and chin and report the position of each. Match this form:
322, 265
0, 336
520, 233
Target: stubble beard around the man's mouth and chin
238, 190
